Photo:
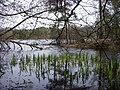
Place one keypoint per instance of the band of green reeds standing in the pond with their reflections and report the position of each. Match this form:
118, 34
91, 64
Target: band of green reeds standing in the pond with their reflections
69, 69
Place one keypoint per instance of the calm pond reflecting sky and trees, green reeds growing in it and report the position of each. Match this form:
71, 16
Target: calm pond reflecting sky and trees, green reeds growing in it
57, 68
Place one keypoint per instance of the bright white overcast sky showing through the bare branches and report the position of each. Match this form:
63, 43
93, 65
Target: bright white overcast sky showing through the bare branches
86, 12
